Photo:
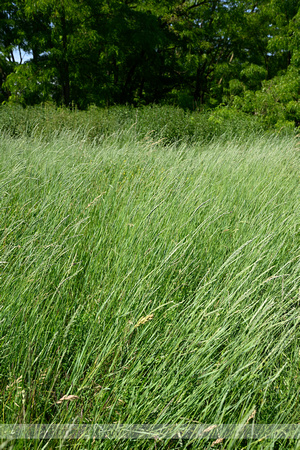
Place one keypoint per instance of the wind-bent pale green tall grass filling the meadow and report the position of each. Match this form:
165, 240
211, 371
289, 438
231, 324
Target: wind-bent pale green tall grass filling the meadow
156, 283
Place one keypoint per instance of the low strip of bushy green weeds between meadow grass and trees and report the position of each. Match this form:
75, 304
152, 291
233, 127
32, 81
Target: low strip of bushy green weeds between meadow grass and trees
156, 122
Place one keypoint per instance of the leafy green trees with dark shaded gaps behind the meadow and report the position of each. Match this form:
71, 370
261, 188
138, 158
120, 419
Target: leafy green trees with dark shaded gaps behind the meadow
188, 52
